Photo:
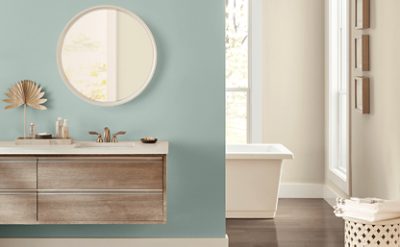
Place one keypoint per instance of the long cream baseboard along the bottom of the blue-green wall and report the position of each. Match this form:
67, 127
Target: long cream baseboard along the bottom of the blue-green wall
117, 242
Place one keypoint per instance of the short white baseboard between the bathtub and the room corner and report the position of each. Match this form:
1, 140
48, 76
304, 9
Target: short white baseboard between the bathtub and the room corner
301, 190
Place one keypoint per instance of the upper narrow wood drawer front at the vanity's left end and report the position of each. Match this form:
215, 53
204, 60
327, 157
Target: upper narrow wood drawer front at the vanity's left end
17, 173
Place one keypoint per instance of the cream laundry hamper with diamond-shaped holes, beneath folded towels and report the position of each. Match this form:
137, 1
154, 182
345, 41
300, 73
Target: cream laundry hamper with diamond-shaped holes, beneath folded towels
361, 233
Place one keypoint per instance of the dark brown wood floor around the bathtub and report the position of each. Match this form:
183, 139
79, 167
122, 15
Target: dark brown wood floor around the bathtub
298, 223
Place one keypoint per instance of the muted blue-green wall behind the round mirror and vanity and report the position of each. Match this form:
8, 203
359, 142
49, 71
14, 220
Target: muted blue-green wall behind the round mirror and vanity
184, 104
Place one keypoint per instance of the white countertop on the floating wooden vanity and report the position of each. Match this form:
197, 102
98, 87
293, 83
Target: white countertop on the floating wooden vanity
85, 148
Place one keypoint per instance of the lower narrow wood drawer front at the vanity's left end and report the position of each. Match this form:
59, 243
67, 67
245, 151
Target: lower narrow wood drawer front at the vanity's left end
18, 208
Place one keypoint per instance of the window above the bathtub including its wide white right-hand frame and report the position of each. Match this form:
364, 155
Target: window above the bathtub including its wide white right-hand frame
243, 39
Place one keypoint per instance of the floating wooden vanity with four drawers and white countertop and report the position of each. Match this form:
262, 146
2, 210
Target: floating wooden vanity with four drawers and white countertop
85, 186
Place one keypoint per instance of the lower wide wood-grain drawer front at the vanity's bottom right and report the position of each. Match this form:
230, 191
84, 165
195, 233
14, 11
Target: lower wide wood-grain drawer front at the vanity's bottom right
106, 208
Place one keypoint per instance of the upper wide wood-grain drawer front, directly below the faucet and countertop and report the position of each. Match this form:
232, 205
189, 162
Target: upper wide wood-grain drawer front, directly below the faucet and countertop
101, 173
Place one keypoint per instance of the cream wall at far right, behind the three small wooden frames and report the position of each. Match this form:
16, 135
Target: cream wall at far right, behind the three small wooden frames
376, 137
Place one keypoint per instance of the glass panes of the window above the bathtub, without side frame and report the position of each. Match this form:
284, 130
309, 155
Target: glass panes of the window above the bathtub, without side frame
237, 72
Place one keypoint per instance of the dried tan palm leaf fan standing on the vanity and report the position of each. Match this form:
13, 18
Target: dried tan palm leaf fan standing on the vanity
26, 93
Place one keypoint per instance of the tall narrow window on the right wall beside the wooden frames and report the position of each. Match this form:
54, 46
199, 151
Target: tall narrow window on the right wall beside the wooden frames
338, 87
